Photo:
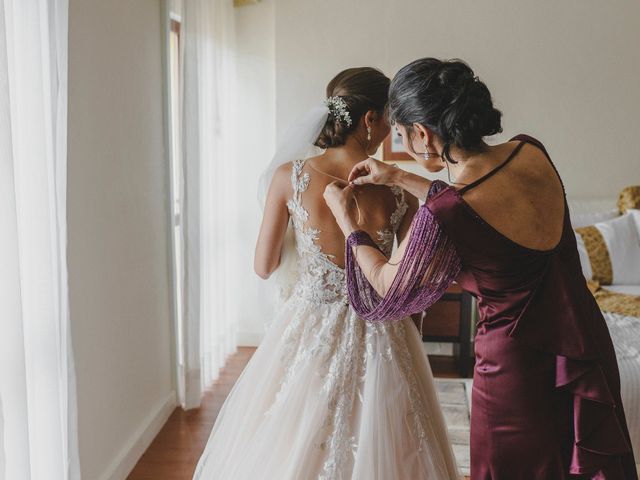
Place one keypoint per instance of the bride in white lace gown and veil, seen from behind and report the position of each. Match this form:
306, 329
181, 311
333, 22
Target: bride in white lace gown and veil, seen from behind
328, 395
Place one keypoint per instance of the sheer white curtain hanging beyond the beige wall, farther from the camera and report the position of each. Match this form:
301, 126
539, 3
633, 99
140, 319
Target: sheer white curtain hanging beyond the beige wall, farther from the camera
211, 294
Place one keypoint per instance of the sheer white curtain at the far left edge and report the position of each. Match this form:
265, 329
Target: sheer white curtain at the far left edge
37, 383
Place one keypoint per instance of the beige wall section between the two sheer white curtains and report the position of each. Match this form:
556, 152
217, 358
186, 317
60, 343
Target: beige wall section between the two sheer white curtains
118, 247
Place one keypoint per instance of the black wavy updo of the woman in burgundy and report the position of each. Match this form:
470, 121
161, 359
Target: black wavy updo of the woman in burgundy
447, 97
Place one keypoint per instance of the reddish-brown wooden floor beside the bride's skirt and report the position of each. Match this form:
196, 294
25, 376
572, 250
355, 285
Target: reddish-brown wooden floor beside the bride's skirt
174, 453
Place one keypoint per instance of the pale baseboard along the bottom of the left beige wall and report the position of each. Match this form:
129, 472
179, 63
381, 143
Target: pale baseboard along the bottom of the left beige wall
133, 449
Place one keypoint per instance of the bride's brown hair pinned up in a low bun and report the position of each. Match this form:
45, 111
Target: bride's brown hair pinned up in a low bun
362, 89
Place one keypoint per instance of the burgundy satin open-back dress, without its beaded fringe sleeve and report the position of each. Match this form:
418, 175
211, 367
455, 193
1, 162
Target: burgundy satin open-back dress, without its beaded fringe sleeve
546, 392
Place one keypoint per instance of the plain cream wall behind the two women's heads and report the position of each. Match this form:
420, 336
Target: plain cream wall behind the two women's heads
566, 72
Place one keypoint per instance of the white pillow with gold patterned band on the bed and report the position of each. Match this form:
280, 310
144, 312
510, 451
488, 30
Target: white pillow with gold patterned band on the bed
612, 249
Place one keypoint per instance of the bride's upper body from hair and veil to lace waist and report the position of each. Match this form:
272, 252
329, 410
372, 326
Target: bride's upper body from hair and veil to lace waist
351, 127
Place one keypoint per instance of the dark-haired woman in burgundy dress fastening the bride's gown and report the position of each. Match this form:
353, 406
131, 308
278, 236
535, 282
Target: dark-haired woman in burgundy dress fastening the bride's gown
546, 392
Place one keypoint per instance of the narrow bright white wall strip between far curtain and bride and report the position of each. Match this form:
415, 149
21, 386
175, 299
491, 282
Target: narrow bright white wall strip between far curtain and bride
256, 83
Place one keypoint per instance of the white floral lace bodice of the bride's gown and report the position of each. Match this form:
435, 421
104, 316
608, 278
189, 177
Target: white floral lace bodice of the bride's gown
321, 280
